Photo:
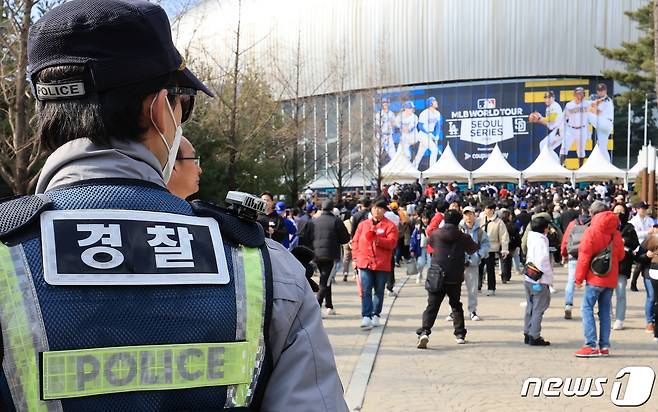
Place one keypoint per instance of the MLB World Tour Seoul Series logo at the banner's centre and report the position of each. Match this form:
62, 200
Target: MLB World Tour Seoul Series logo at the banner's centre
487, 124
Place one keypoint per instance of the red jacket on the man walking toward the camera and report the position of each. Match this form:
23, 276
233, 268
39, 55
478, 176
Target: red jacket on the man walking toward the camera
375, 254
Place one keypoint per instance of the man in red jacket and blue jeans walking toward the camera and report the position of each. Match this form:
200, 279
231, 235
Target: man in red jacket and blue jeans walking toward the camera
373, 245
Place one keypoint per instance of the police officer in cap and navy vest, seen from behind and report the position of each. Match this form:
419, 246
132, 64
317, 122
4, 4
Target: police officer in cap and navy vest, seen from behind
116, 295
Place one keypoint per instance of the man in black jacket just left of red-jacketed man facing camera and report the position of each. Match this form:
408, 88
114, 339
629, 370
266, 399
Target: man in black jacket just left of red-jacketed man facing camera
327, 233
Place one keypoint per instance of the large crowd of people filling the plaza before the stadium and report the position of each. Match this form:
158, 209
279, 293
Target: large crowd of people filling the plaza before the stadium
460, 235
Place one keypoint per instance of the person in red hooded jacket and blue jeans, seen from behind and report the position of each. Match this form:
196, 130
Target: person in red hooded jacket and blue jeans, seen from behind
603, 231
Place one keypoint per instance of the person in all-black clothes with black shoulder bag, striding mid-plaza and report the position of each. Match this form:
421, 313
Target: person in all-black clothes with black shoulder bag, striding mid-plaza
449, 245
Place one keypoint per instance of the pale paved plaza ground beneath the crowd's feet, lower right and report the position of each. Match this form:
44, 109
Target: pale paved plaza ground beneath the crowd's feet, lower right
487, 373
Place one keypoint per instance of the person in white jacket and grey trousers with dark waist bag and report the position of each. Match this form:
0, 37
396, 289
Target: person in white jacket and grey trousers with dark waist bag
538, 295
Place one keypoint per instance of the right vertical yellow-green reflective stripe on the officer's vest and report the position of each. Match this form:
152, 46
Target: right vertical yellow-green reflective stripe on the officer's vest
255, 285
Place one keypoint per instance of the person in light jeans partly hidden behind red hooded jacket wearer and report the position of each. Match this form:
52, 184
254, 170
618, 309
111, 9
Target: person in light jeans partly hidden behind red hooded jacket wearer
569, 251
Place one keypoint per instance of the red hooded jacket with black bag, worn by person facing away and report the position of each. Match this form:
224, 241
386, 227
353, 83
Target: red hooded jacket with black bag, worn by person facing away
602, 230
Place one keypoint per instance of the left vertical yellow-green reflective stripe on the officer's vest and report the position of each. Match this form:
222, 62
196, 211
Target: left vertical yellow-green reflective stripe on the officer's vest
20, 352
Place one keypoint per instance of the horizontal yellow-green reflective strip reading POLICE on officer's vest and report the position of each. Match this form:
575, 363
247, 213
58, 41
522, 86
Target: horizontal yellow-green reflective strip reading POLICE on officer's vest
85, 372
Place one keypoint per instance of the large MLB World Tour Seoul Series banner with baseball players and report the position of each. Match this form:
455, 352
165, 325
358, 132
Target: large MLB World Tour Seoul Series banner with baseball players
569, 115
